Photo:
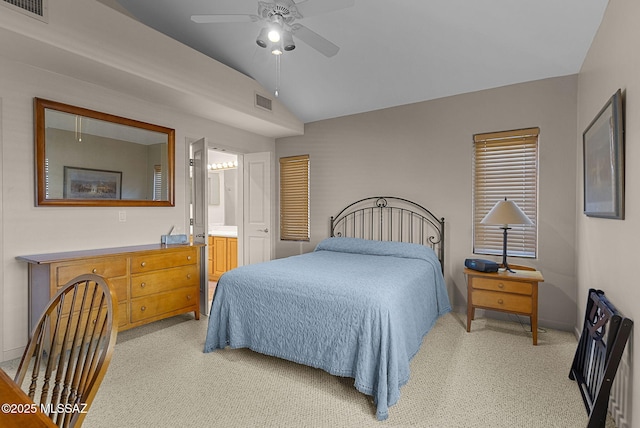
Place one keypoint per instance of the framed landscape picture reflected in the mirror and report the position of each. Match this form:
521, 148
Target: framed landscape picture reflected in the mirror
87, 183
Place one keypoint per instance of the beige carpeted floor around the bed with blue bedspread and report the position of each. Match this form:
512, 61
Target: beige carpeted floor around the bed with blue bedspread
491, 377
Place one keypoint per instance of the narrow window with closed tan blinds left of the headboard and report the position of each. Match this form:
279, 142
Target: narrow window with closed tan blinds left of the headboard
294, 198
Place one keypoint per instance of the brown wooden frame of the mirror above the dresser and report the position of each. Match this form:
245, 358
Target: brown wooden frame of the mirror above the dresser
40, 105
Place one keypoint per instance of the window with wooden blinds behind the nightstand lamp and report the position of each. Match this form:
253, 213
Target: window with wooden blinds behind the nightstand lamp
506, 165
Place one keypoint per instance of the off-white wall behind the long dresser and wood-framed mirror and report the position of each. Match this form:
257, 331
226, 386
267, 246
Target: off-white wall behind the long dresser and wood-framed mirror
26, 229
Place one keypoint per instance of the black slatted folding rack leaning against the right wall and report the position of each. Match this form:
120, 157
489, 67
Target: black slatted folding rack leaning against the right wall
602, 342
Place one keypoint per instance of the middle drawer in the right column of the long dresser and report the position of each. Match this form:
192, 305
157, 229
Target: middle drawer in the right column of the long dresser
164, 280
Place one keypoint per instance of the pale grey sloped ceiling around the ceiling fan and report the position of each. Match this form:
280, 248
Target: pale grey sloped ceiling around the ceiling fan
391, 52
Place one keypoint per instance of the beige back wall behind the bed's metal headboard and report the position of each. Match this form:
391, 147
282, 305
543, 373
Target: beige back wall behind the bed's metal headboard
423, 152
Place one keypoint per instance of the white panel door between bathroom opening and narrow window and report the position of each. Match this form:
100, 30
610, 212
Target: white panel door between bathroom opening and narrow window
257, 207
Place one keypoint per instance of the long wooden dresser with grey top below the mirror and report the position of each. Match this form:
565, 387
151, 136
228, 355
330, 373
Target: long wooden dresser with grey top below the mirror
152, 282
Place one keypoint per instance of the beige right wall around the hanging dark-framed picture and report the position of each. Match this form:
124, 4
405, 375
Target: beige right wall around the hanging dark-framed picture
607, 250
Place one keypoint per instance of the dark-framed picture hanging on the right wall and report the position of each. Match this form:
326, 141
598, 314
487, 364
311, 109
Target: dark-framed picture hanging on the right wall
603, 157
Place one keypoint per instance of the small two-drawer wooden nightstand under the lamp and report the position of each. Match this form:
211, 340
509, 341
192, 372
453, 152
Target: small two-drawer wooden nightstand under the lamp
504, 291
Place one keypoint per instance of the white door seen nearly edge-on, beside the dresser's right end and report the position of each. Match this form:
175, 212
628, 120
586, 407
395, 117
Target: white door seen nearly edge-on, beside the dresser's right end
199, 176
